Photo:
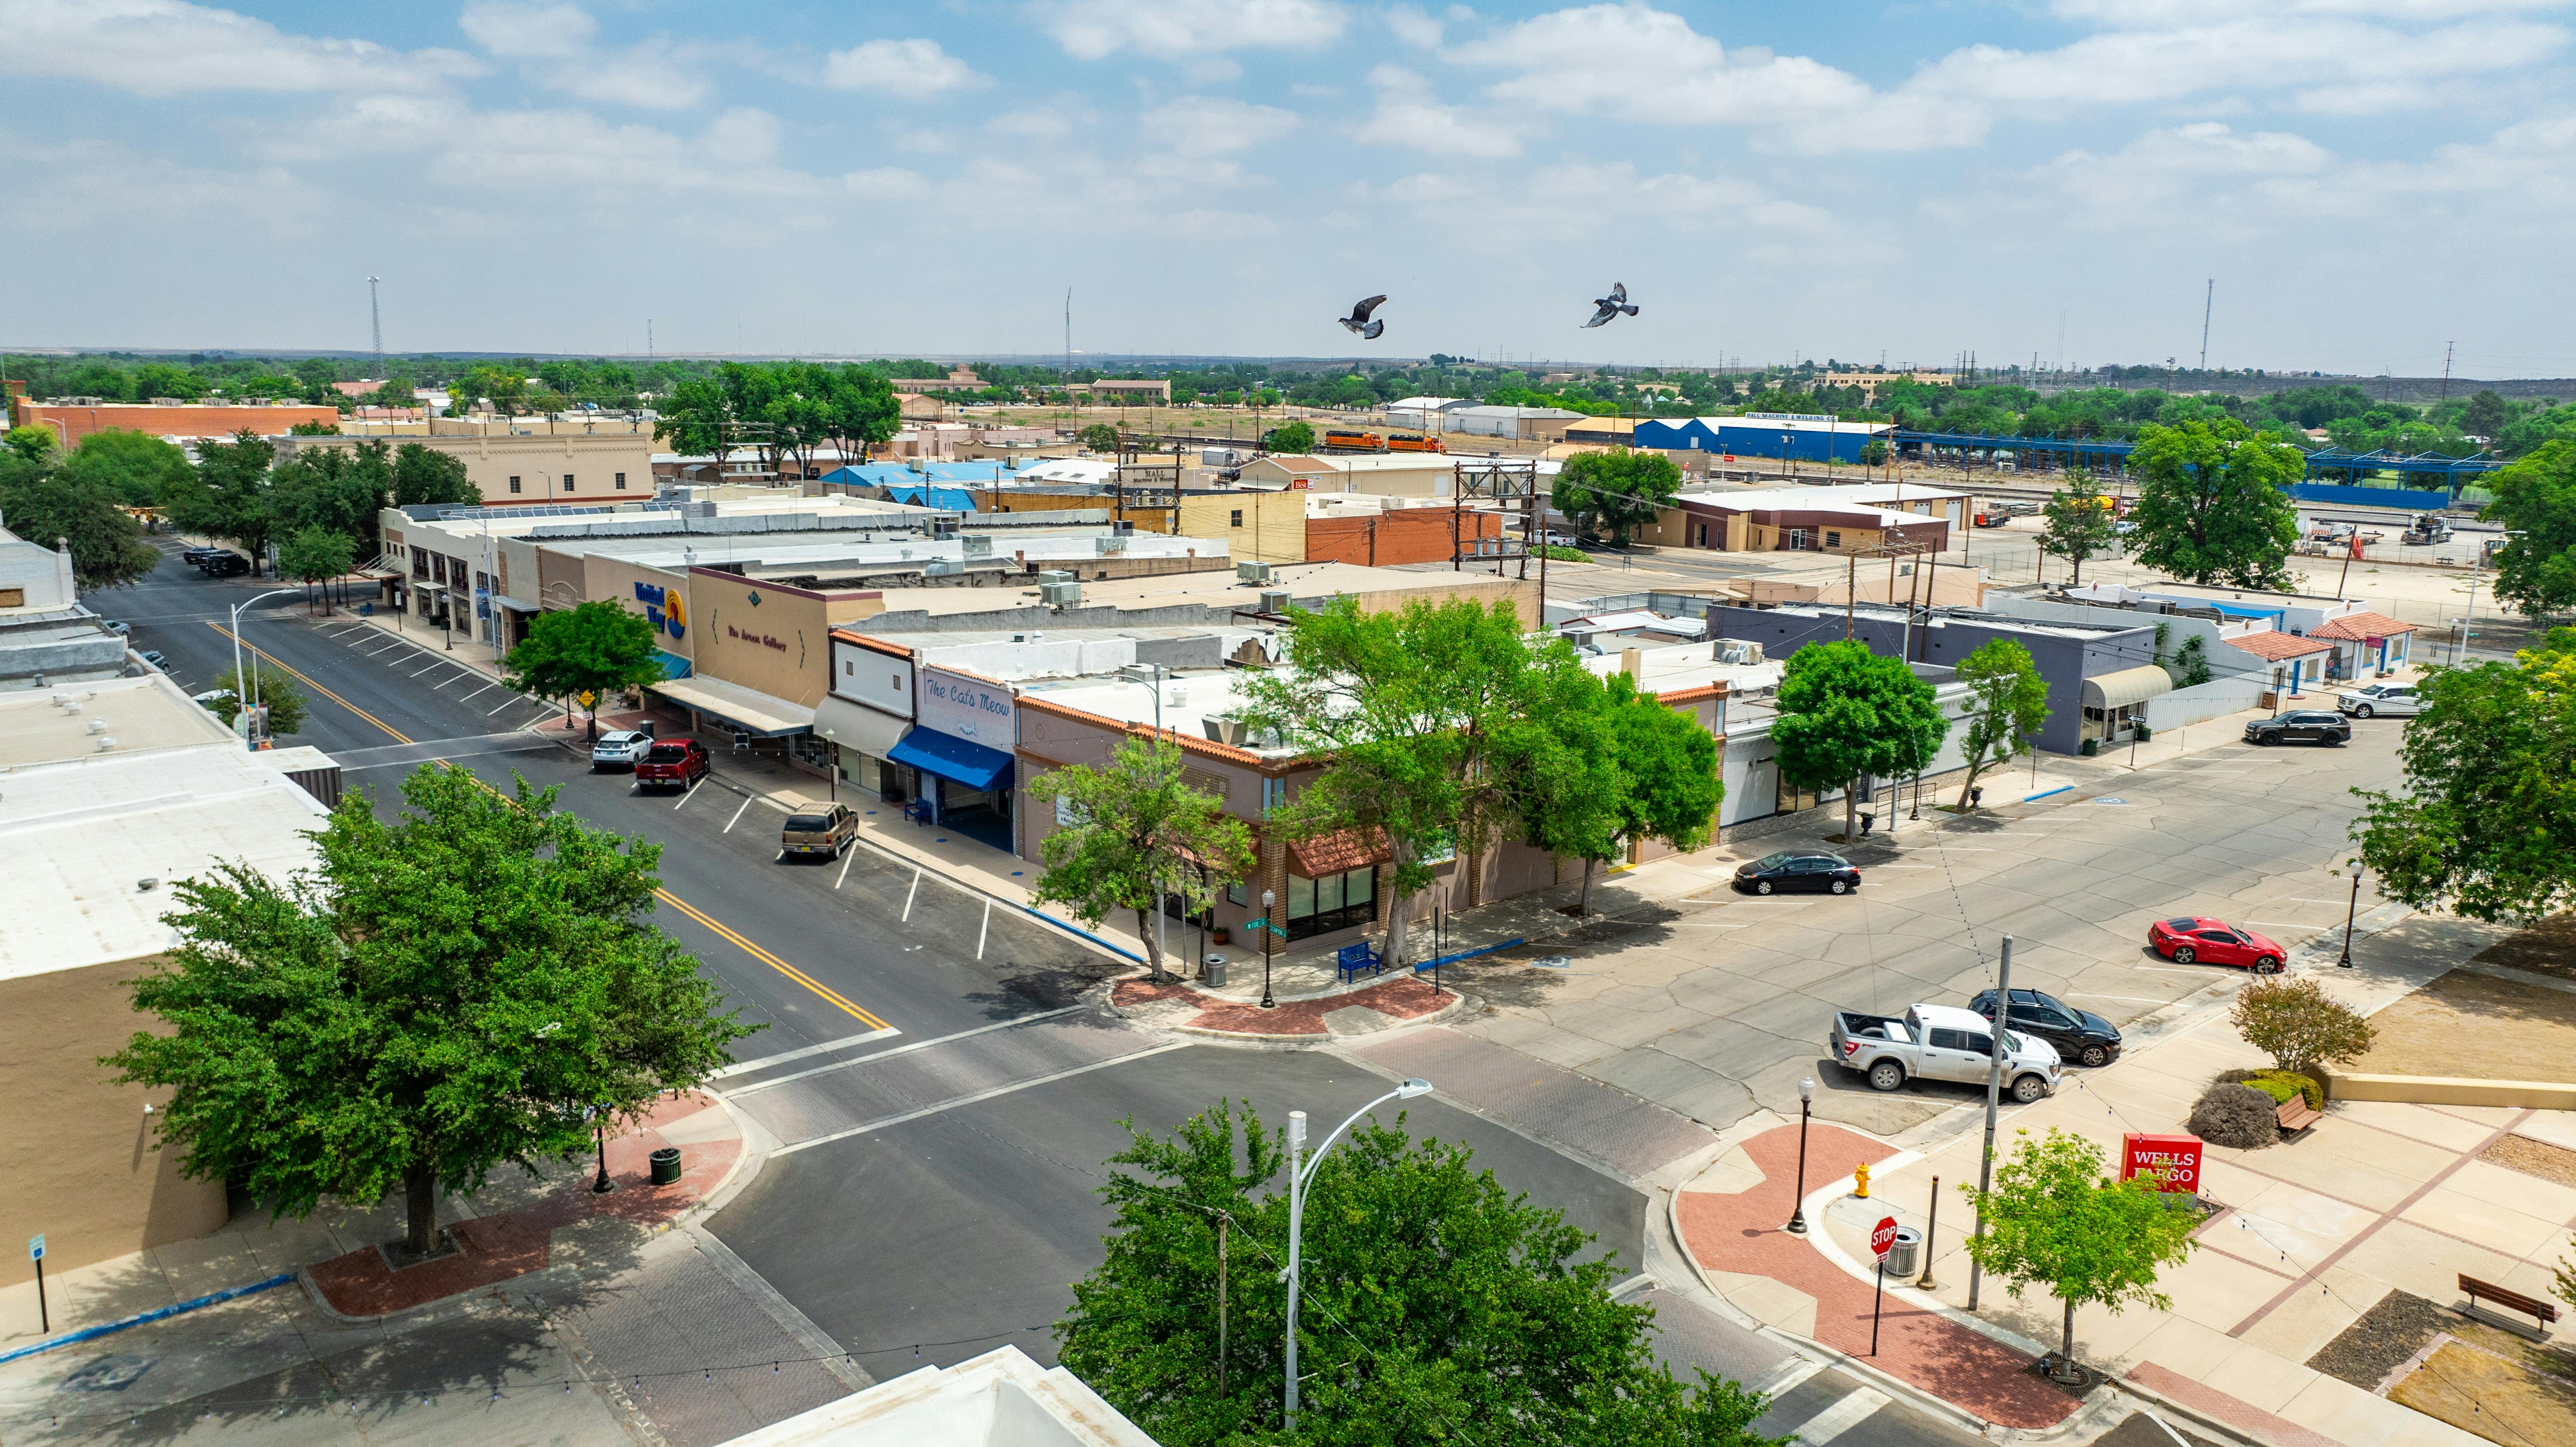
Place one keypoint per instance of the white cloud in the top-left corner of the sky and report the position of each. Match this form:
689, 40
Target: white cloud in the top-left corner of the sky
166, 48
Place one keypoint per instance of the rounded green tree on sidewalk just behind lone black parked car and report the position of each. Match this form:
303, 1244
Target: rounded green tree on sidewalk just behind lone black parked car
1848, 714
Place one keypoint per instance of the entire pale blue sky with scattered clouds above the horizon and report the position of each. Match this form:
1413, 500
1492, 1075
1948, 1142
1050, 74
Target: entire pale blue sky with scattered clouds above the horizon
2369, 182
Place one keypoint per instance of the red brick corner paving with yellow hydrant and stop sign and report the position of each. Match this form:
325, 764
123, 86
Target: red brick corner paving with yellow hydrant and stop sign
1743, 1235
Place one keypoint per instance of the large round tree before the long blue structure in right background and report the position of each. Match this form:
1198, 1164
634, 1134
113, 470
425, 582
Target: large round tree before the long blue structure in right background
2214, 503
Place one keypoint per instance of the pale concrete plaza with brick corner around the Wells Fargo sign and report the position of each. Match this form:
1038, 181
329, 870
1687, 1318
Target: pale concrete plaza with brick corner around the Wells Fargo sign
2312, 1235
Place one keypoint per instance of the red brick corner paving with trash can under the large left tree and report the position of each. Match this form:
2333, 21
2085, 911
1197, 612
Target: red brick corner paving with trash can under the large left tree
522, 1240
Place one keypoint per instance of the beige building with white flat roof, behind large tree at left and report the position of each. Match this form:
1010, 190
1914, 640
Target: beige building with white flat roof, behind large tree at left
109, 794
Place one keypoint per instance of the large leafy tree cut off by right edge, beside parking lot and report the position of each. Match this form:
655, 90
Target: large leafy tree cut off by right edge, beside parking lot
2487, 820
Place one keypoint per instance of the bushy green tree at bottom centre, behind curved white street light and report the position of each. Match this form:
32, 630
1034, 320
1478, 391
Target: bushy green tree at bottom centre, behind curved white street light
1434, 1307
